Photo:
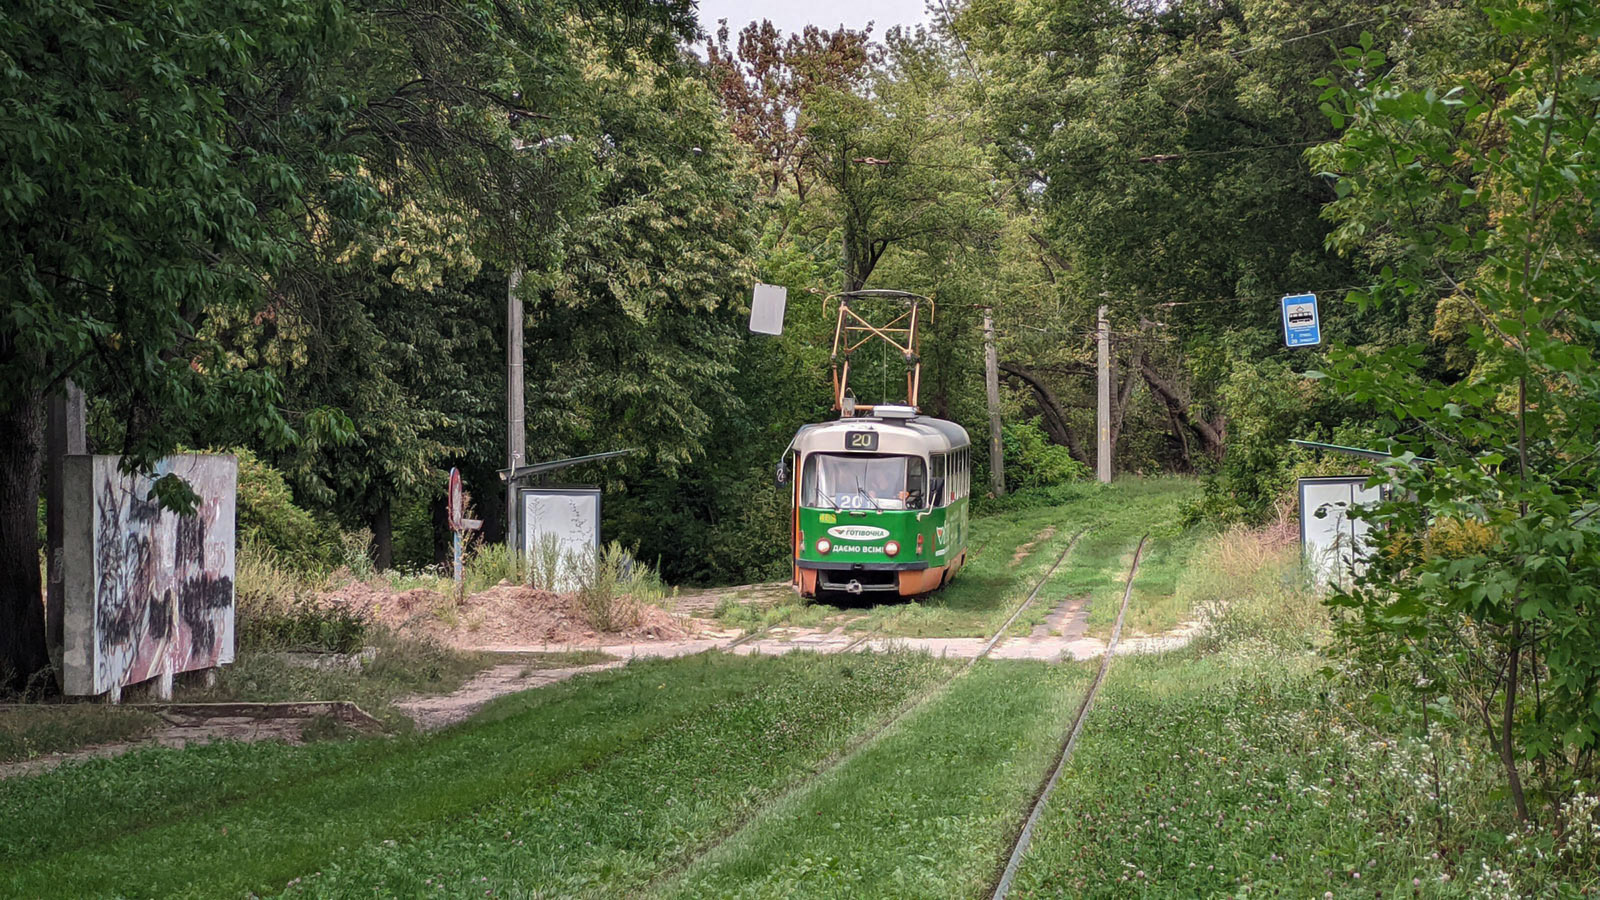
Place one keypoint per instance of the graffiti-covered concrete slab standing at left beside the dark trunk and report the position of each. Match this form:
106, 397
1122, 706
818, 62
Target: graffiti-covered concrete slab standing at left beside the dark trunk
148, 592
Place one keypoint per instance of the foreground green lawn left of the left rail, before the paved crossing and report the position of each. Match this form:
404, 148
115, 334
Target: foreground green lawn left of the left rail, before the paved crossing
682, 747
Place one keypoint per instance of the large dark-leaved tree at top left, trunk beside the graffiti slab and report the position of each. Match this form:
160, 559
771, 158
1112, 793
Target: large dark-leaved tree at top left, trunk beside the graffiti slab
234, 145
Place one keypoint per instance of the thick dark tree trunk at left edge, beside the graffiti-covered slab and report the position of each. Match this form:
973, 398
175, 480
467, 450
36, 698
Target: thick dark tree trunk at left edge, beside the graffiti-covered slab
23, 651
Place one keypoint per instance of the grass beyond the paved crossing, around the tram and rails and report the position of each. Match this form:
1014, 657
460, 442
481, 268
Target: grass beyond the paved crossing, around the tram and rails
1012, 550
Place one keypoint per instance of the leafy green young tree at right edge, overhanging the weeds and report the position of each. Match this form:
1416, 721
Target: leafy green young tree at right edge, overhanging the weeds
1473, 179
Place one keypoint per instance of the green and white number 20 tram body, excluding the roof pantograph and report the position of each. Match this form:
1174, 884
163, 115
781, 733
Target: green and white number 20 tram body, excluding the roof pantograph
879, 504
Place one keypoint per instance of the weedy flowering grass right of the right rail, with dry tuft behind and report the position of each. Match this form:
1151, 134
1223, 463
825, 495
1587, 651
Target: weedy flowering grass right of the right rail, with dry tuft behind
1239, 768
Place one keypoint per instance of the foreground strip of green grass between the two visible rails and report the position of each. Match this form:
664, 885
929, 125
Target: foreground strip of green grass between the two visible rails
926, 811
